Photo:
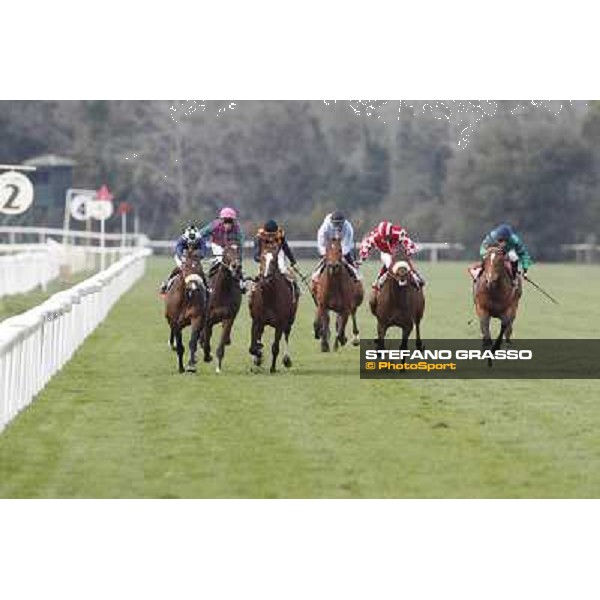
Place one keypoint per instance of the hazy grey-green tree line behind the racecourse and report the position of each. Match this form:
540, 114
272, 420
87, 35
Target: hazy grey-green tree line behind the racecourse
446, 171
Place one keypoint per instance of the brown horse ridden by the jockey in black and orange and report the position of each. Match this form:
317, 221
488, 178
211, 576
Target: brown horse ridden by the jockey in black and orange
272, 302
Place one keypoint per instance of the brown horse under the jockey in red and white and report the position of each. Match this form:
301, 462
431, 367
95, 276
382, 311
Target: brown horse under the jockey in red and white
399, 304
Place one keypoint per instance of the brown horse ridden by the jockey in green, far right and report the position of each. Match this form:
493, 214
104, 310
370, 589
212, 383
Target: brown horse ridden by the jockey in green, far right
495, 296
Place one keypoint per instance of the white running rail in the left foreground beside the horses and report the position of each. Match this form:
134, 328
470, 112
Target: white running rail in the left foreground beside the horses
36, 344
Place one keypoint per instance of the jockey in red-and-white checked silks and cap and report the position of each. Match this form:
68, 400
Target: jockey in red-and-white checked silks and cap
390, 239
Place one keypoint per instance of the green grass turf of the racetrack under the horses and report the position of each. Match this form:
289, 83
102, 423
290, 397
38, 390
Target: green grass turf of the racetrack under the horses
119, 421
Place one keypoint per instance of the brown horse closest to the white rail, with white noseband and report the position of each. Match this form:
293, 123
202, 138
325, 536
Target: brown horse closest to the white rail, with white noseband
185, 304
